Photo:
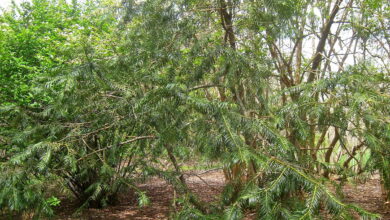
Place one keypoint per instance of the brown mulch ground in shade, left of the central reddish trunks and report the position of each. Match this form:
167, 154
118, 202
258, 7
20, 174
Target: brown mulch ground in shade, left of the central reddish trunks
206, 185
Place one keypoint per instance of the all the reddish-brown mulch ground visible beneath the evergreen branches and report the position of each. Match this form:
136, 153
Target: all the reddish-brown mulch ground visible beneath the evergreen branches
208, 185
